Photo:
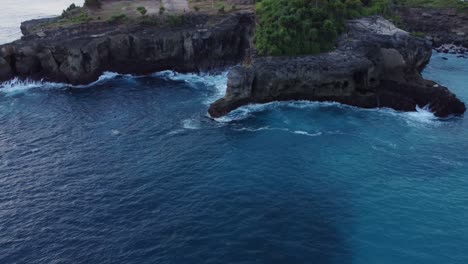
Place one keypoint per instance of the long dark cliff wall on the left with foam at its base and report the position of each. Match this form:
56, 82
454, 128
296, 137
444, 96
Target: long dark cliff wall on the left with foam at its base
80, 54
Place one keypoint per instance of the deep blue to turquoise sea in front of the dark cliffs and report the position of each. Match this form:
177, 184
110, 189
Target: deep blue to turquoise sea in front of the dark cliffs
130, 169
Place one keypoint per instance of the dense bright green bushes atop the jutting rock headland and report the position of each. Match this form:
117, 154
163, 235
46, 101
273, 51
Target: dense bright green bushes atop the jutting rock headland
295, 27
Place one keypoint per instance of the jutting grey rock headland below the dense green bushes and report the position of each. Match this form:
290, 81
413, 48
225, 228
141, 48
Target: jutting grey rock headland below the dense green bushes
375, 65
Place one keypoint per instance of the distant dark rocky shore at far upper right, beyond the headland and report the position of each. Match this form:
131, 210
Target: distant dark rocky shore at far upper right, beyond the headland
441, 26
